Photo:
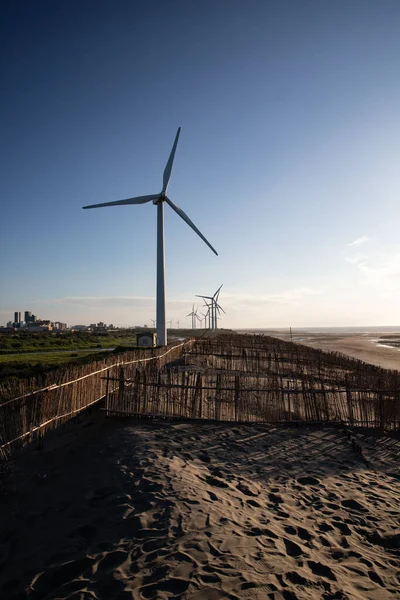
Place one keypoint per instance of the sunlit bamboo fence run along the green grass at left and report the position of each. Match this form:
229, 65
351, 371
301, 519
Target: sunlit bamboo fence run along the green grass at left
28, 411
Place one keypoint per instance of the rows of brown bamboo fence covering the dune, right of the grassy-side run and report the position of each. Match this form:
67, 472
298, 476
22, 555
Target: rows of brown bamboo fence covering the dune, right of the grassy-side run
259, 378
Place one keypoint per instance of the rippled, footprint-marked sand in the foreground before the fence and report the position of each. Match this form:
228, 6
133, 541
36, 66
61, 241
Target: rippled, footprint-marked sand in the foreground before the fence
158, 509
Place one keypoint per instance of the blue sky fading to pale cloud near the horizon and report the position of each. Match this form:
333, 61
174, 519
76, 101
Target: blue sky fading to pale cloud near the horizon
288, 160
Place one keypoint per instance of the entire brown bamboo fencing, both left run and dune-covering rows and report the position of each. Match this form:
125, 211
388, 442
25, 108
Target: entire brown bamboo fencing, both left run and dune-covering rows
251, 378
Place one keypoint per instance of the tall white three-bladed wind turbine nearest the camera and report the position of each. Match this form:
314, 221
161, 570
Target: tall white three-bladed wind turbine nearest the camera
158, 200
